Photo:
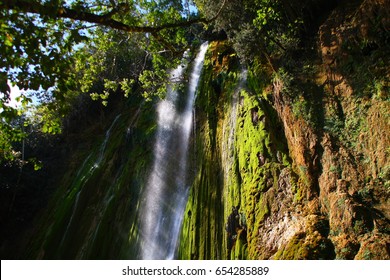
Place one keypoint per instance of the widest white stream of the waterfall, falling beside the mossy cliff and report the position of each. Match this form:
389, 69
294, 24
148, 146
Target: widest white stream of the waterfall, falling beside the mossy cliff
165, 194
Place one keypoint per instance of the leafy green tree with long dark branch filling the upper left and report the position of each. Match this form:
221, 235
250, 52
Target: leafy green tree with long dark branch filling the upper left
61, 48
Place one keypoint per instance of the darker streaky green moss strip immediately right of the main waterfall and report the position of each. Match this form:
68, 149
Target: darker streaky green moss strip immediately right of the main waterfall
203, 234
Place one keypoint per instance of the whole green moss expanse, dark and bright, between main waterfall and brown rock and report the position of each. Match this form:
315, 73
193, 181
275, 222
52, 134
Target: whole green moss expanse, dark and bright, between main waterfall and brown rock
249, 171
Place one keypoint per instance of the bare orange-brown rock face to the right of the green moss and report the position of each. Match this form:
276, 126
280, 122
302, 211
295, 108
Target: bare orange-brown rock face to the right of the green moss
339, 186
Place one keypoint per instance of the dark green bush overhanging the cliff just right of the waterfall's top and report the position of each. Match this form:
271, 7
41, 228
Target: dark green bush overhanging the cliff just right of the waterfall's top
257, 27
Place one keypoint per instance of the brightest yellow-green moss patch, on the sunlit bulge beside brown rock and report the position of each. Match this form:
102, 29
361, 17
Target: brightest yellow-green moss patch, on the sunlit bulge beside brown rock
261, 156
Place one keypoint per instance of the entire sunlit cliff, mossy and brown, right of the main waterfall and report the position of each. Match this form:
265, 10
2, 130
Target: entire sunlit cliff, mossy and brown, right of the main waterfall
293, 162
